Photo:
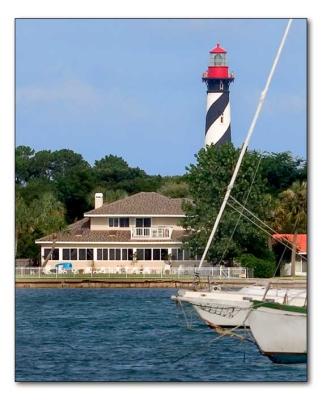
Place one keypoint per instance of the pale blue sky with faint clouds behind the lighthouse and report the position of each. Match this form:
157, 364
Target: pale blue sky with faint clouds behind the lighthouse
133, 88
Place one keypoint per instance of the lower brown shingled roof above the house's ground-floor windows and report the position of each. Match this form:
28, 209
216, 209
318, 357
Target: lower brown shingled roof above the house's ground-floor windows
80, 232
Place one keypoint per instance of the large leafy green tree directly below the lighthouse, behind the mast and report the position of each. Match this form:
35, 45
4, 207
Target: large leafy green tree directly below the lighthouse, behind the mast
208, 180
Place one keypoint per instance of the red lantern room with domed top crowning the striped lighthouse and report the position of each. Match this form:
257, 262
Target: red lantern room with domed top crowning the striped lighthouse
218, 68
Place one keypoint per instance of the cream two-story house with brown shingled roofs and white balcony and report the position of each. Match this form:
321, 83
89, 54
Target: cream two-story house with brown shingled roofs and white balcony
139, 231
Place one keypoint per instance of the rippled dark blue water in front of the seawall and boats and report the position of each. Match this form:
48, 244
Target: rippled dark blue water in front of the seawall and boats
128, 335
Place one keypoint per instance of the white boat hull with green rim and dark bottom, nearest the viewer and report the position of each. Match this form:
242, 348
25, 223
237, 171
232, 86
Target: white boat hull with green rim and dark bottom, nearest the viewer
280, 334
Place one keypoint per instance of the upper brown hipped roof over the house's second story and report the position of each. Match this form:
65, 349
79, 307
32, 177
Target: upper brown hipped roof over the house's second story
143, 203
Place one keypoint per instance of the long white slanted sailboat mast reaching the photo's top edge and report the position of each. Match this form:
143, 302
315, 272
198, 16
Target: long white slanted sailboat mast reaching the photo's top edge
246, 142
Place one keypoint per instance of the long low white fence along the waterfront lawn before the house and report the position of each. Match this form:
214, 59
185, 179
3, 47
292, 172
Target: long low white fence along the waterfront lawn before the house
126, 272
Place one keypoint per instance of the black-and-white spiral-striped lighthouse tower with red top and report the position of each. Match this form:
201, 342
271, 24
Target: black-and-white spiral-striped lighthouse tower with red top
217, 79
